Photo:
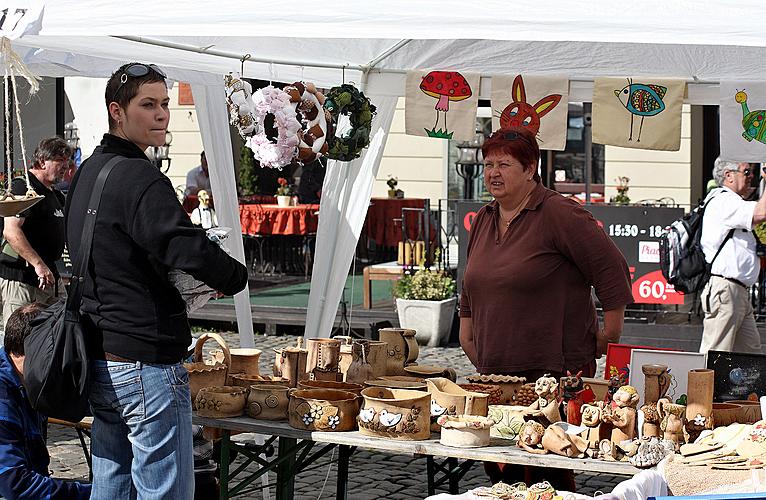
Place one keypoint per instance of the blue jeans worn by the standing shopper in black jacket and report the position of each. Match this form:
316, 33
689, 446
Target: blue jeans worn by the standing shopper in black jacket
142, 436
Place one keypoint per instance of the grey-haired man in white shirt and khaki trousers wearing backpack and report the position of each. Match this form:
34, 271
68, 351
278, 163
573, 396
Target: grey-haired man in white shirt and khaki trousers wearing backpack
729, 324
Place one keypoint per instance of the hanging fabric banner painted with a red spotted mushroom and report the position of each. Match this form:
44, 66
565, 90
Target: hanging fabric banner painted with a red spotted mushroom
441, 104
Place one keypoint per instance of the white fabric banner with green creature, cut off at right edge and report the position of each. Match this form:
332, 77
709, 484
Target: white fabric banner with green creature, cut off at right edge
742, 115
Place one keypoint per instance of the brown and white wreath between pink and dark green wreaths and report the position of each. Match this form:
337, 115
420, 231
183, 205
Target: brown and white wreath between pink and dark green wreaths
308, 102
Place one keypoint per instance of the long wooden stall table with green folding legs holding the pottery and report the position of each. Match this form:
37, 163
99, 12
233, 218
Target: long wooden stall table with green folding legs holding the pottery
295, 445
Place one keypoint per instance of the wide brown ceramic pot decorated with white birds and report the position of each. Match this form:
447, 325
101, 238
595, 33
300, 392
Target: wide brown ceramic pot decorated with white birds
397, 414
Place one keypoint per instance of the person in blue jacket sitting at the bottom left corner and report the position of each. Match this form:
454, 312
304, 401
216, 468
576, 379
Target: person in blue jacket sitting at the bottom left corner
24, 458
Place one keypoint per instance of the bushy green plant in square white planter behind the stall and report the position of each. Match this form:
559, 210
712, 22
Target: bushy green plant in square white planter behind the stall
425, 302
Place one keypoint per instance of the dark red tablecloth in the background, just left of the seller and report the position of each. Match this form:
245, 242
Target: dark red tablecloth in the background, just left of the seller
380, 225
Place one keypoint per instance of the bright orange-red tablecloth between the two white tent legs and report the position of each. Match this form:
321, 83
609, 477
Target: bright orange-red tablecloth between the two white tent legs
273, 219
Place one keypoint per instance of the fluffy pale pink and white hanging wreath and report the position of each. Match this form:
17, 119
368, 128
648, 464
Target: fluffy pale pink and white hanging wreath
276, 143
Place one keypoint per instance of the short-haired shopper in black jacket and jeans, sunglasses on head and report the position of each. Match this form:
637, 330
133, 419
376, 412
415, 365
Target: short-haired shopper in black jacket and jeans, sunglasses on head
135, 320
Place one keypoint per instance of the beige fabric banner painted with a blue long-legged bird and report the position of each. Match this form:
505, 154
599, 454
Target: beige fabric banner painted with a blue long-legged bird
639, 113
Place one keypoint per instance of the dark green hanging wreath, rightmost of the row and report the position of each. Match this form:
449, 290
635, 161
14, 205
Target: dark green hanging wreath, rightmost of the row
348, 100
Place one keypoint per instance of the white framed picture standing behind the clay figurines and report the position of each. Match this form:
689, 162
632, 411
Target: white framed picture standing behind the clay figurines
678, 362
